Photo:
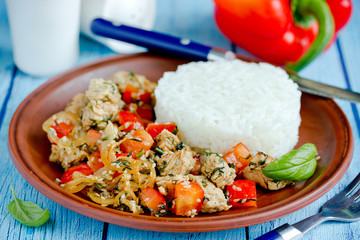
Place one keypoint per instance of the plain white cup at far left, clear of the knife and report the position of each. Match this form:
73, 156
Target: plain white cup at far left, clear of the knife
45, 34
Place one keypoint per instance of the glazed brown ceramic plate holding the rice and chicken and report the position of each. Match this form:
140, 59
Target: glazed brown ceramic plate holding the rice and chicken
323, 123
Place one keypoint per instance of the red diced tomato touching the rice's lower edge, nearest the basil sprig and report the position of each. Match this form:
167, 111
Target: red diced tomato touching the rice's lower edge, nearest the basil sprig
240, 156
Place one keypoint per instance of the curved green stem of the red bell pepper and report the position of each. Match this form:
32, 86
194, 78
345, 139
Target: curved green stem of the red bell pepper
321, 11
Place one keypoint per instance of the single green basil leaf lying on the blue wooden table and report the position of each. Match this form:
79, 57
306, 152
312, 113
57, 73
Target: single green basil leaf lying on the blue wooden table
28, 213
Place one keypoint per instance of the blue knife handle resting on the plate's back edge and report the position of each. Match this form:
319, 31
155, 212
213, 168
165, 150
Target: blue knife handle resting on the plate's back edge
151, 40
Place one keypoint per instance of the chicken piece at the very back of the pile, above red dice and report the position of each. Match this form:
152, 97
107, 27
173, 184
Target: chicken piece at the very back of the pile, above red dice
123, 78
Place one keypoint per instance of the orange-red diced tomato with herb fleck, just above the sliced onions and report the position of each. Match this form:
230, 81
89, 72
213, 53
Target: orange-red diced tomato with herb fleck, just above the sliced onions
139, 140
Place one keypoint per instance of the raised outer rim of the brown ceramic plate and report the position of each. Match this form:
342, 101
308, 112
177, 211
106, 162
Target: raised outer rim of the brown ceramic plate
72, 201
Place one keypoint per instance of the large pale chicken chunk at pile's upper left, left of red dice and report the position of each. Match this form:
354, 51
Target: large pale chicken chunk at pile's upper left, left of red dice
104, 105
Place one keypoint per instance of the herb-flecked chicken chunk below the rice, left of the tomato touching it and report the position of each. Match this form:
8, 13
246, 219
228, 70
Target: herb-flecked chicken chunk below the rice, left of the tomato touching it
215, 168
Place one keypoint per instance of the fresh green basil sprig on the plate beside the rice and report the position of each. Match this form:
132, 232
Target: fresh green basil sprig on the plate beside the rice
296, 165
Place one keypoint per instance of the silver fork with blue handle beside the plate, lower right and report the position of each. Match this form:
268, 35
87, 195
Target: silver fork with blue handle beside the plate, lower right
343, 207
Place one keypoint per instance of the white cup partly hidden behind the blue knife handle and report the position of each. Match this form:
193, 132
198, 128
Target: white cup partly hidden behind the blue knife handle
136, 13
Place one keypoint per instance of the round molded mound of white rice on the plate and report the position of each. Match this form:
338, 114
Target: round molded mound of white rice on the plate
216, 105
